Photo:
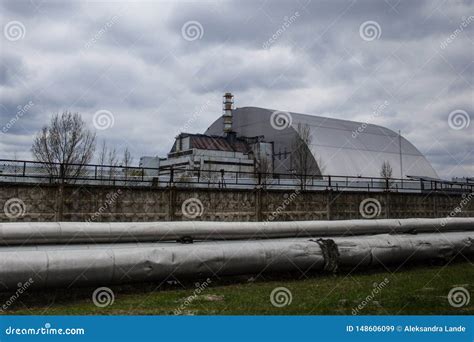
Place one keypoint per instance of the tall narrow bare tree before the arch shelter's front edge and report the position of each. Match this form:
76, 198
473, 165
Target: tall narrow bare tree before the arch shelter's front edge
303, 162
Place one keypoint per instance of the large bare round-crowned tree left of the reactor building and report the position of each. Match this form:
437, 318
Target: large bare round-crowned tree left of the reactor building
65, 141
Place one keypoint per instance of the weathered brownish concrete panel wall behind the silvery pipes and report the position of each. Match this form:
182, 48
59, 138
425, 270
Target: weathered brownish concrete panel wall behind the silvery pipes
23, 202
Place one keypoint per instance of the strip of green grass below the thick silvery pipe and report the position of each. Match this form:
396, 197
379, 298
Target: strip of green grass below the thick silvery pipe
416, 290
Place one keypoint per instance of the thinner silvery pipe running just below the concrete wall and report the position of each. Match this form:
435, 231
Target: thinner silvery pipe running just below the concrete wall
27, 233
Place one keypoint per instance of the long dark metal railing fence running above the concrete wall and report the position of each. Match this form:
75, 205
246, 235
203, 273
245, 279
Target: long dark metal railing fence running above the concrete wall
22, 171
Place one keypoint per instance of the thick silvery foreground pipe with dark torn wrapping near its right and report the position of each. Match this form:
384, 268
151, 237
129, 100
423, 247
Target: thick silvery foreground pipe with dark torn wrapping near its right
68, 266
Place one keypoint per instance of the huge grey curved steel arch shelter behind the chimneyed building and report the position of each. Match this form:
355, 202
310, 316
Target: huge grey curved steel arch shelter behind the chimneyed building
339, 147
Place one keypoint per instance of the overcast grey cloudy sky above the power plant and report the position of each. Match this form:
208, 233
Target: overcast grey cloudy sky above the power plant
152, 68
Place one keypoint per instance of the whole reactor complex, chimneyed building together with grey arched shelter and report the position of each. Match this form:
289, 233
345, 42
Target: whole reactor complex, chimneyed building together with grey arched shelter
252, 139
